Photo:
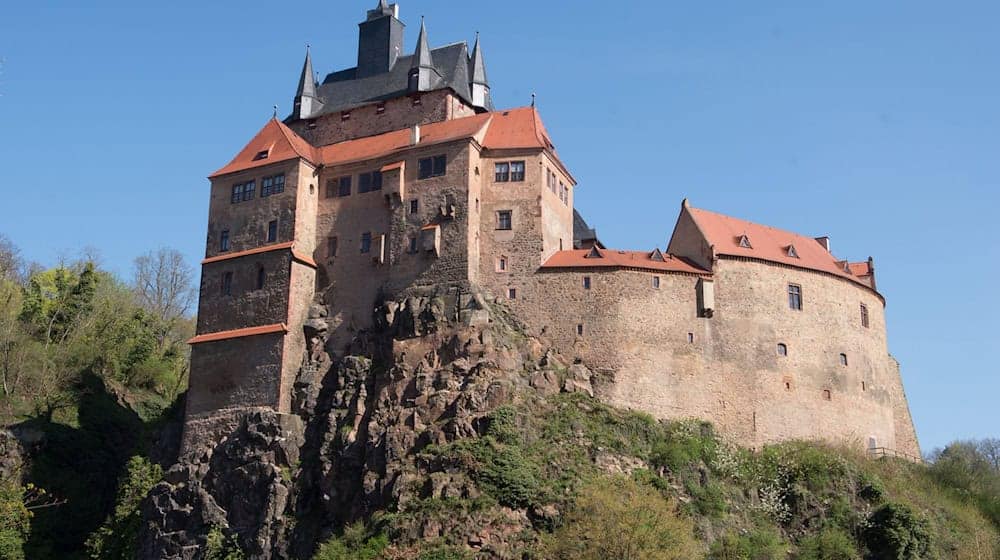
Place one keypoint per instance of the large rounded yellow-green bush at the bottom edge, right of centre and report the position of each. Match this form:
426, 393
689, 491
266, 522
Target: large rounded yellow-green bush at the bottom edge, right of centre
617, 518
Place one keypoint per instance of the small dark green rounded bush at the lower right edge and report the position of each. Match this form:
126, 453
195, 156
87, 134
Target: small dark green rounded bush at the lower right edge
896, 532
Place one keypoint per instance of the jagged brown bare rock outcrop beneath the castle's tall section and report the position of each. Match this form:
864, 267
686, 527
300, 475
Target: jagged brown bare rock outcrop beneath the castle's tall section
436, 364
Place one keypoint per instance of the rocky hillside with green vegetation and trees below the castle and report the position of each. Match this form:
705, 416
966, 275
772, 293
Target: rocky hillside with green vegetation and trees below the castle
445, 433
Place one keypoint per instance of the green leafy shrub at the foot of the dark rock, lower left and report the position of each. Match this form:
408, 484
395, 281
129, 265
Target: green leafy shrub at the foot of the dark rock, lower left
118, 537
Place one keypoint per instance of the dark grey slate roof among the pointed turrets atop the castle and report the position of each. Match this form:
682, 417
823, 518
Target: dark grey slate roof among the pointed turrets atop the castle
341, 91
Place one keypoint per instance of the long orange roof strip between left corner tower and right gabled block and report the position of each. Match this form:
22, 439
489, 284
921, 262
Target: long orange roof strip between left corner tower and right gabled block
385, 144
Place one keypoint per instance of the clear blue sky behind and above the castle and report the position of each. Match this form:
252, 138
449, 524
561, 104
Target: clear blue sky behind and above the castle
876, 123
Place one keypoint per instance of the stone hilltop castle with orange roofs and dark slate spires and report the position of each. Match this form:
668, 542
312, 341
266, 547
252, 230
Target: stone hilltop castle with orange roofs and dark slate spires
398, 174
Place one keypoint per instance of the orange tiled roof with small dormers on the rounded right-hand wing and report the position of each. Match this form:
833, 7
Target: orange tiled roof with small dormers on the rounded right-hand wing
766, 243
